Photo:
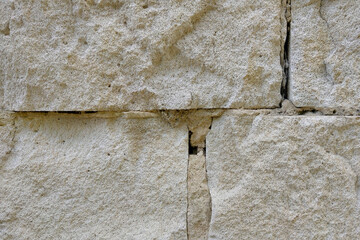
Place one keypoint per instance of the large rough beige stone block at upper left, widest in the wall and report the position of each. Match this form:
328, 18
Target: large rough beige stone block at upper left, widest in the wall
140, 55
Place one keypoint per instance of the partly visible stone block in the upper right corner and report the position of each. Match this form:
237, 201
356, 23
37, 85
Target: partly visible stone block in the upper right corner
325, 53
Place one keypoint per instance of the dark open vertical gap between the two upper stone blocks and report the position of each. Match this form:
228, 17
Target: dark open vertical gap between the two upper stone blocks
286, 55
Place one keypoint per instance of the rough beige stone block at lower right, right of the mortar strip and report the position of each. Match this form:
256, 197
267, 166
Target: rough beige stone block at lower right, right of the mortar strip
278, 177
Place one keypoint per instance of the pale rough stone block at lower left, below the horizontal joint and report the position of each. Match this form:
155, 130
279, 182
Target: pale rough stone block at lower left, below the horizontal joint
74, 178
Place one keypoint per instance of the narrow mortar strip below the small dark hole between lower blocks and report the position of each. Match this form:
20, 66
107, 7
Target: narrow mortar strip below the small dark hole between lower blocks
199, 202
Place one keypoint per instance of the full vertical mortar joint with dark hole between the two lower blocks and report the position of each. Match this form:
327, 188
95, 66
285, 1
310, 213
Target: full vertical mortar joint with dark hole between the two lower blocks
199, 204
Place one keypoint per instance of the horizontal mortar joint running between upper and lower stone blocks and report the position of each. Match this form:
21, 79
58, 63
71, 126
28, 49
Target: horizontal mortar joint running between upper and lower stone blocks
176, 117
